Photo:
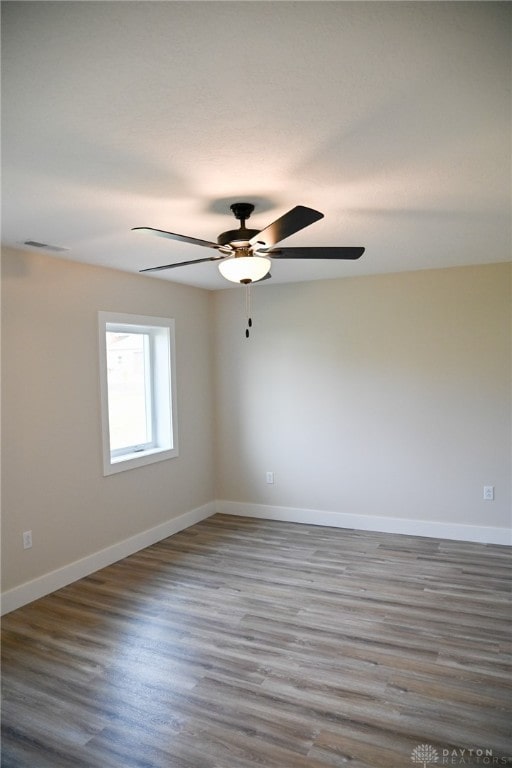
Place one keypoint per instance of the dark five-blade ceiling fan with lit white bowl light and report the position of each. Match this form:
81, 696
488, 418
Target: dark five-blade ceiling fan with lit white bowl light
244, 255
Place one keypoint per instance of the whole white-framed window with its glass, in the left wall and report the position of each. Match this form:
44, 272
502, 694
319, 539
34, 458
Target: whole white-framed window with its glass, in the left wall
138, 398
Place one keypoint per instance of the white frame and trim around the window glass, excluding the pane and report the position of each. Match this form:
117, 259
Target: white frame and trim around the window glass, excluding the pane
161, 358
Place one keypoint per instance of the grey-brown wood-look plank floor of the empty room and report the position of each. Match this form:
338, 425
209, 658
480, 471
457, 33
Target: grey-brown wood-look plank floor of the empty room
243, 643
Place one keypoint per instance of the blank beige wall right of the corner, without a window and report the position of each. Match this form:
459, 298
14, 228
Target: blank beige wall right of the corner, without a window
386, 395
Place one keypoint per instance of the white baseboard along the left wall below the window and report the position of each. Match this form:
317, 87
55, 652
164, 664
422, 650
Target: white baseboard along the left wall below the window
33, 590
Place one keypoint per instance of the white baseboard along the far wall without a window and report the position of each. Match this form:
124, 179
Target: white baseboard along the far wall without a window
438, 530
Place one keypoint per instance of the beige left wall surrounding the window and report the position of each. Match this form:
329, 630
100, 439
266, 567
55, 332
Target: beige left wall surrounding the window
51, 439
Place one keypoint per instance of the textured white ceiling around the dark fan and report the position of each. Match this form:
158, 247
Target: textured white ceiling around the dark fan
392, 118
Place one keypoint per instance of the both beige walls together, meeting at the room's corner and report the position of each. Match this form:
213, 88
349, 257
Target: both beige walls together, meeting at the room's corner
381, 396
